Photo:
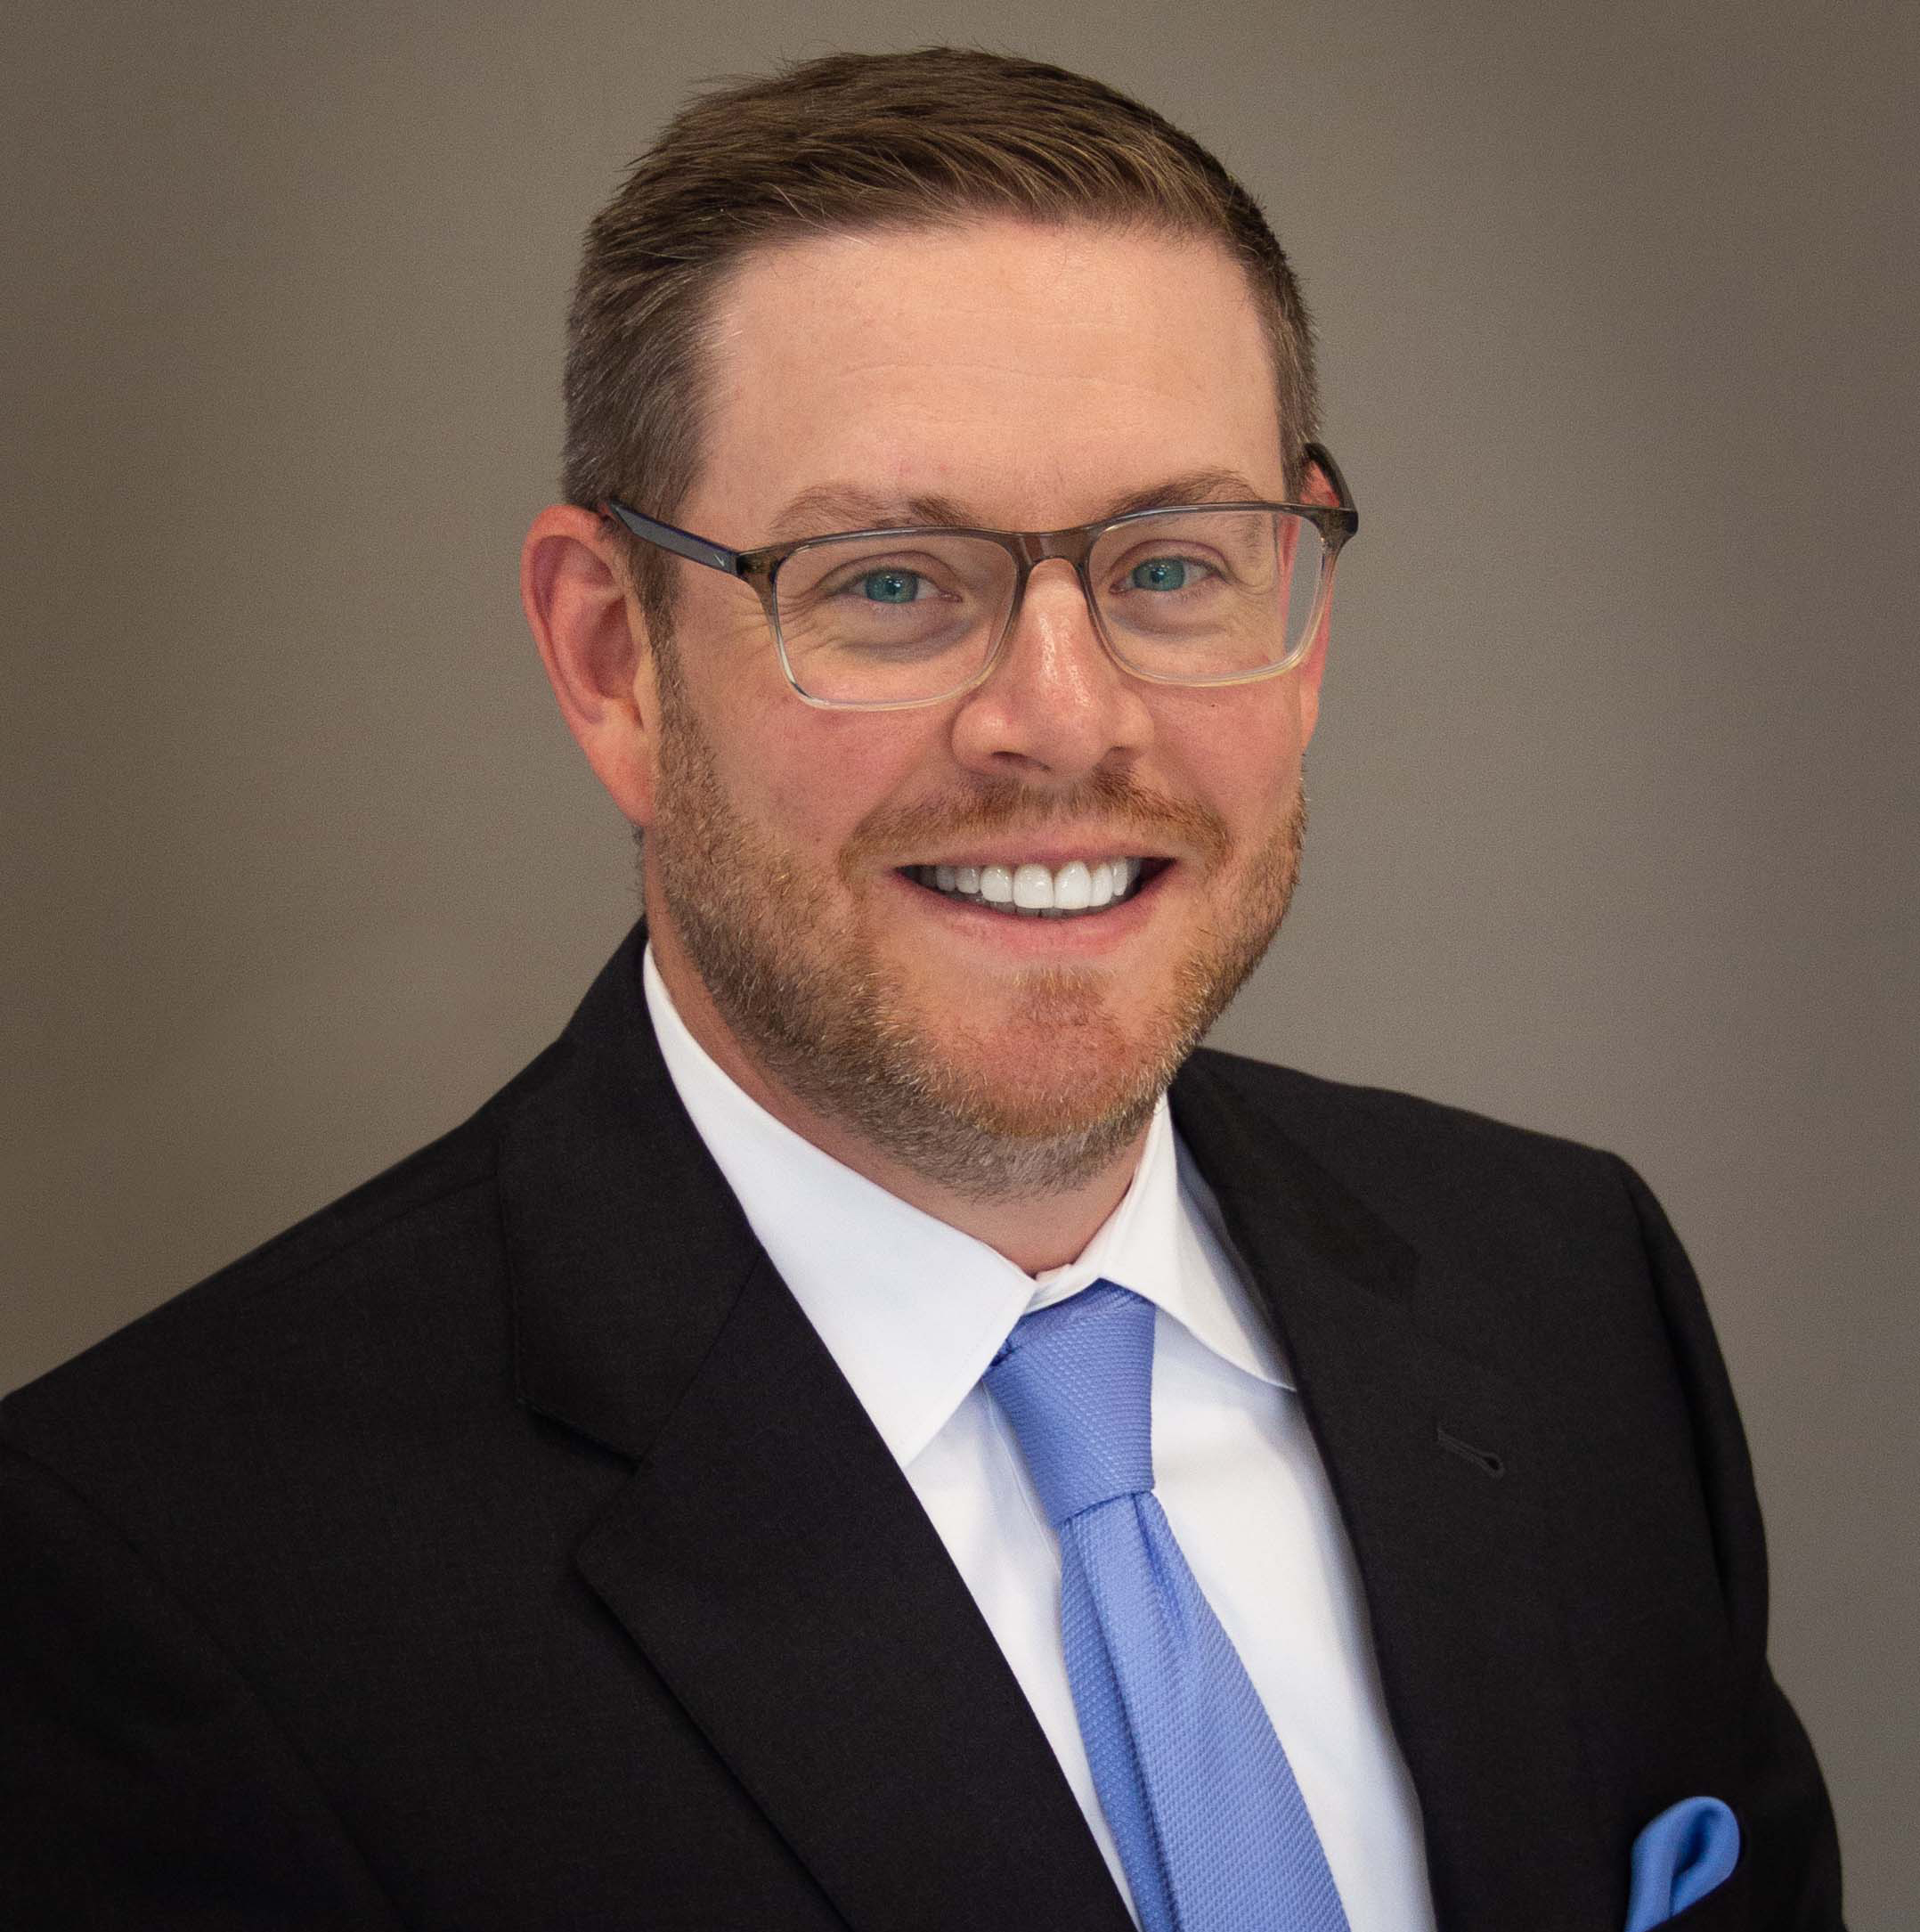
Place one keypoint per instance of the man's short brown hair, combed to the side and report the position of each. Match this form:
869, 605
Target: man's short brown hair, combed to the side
849, 144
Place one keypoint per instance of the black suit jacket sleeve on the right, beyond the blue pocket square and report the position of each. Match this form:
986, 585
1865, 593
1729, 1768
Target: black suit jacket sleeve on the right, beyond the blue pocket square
1790, 1840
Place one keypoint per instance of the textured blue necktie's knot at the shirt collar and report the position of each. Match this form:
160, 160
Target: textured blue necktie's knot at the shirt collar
1077, 1382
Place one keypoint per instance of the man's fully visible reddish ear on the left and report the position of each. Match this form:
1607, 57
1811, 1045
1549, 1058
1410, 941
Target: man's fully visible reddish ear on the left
592, 640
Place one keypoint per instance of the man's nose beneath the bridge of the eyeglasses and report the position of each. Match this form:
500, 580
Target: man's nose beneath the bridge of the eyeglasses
1056, 708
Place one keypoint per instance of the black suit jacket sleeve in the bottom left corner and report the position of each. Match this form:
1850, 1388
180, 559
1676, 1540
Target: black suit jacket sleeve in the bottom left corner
142, 1782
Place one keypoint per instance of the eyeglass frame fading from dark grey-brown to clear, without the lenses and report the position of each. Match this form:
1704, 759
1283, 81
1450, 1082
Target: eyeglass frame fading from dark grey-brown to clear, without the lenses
1332, 525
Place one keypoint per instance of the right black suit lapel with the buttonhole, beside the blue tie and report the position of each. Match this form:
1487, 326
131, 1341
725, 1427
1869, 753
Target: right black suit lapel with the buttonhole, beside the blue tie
1432, 1462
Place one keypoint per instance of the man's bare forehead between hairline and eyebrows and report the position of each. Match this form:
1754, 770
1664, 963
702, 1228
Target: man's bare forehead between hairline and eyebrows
1029, 372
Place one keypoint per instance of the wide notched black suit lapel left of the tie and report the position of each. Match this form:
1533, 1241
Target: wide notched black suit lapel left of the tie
768, 1556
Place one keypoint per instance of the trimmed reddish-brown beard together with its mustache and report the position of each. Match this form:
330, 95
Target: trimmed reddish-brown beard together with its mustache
806, 992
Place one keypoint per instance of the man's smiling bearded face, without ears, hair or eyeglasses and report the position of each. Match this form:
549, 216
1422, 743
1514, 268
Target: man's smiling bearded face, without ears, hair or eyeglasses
1027, 378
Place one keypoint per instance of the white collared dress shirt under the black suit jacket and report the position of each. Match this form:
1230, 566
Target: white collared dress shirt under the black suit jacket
913, 1313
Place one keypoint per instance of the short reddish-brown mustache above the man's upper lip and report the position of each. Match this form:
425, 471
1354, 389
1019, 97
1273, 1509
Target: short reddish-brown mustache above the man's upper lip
1102, 803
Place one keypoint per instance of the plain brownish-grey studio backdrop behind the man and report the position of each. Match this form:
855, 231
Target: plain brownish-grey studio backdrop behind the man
1614, 809
